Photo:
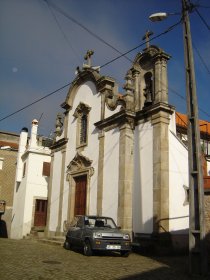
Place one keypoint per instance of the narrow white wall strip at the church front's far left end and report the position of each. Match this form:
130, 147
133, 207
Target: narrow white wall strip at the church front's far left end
55, 193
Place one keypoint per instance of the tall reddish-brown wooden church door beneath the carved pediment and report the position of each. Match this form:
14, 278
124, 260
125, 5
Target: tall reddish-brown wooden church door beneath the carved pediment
80, 195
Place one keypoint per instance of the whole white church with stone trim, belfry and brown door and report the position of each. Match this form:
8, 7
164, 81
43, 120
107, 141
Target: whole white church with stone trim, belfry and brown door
118, 155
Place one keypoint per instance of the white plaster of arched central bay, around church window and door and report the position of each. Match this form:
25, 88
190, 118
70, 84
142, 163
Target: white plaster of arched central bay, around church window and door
86, 94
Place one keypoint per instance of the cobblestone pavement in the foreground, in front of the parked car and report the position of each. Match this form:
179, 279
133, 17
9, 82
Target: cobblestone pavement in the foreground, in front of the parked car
30, 259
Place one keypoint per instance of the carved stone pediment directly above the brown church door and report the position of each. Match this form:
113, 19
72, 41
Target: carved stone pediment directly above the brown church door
80, 163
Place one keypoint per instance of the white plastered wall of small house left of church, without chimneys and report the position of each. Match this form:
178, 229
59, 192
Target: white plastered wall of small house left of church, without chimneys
33, 185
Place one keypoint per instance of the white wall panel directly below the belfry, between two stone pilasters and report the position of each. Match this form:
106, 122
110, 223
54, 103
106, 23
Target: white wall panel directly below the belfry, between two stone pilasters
143, 179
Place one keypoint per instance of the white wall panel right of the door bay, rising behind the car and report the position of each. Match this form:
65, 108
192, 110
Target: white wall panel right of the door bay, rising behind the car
111, 174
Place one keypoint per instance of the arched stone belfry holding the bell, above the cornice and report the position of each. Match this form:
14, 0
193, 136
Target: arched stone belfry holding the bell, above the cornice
150, 77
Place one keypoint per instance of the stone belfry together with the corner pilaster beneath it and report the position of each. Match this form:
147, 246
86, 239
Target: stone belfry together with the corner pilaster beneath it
151, 106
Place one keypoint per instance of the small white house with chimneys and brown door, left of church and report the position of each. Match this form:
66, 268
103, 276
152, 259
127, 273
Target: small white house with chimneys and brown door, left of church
31, 183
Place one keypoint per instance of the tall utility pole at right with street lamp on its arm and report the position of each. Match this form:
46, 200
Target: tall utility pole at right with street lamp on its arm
197, 249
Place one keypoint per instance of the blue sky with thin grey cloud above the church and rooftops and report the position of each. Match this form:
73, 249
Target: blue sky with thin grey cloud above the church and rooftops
40, 49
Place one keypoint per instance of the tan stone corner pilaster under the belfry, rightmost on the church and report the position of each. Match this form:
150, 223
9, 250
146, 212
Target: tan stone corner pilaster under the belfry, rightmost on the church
160, 122
